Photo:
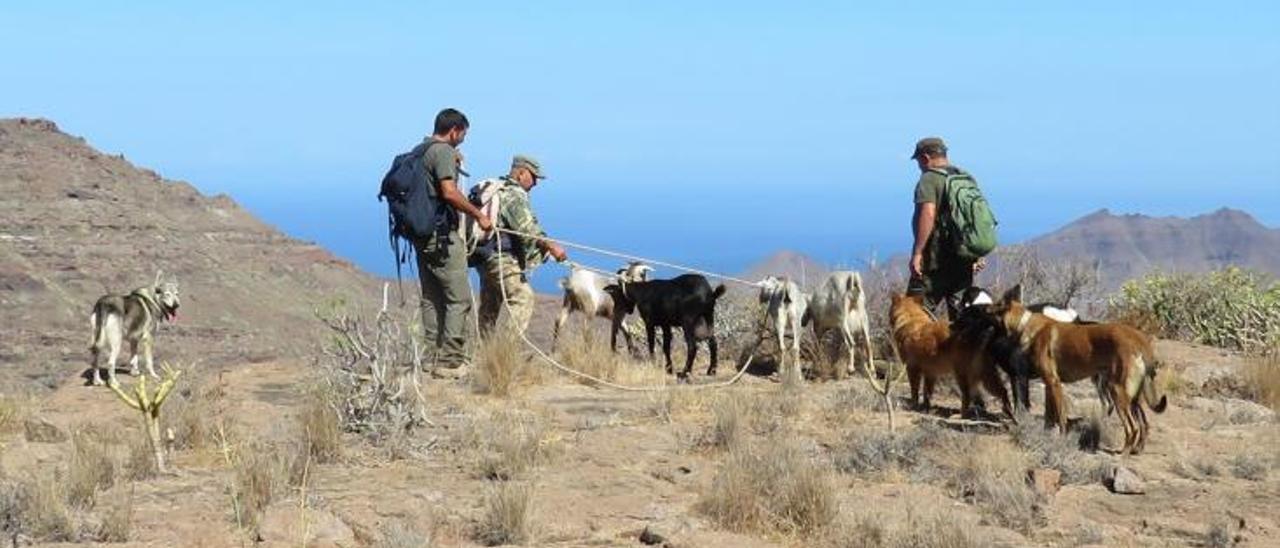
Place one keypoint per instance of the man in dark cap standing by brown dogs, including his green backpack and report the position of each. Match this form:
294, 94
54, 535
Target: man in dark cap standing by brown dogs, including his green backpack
953, 227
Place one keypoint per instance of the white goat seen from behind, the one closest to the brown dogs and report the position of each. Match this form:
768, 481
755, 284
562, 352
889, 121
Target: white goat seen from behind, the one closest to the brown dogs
840, 304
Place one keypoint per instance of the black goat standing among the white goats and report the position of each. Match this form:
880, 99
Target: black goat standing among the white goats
687, 302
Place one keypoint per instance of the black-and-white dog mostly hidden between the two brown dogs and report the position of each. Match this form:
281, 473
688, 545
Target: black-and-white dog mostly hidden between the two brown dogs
976, 322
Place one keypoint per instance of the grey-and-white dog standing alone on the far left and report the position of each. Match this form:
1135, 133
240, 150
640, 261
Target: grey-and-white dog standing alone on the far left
131, 318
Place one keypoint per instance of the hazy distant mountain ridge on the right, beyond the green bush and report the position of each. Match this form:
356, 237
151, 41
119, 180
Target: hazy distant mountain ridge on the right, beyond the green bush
1128, 246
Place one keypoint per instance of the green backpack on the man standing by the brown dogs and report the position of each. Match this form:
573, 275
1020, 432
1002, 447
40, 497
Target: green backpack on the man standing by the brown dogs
970, 222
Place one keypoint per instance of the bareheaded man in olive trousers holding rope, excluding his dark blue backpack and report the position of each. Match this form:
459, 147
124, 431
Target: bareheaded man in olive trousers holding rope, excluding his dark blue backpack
442, 259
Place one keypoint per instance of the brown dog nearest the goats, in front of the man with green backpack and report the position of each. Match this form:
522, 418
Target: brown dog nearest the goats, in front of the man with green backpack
931, 351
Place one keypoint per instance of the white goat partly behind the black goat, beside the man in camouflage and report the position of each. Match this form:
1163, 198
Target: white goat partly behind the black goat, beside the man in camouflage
586, 293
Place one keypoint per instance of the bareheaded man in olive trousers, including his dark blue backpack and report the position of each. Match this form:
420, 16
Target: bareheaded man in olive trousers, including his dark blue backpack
424, 205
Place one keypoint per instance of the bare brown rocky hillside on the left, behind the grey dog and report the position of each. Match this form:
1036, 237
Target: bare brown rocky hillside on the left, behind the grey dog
76, 223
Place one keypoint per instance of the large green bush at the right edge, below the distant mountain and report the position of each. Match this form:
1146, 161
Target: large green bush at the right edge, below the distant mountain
1229, 309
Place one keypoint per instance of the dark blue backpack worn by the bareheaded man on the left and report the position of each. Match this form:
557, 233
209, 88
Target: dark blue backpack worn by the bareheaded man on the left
414, 211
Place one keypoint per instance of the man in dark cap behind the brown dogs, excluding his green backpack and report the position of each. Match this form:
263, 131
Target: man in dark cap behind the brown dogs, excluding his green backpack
938, 272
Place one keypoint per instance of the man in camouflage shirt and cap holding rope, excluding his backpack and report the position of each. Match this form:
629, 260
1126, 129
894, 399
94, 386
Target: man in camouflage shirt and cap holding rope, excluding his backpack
520, 254
